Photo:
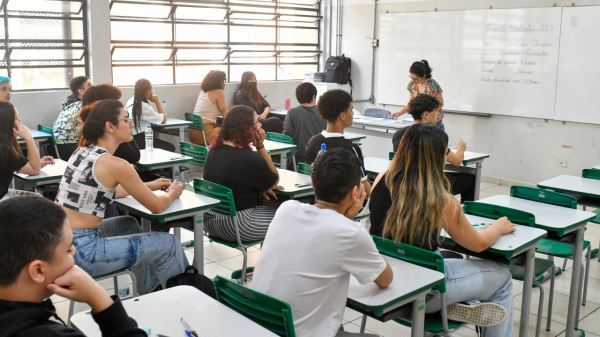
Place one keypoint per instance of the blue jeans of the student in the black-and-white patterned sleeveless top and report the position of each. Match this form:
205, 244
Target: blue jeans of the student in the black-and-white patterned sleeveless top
152, 257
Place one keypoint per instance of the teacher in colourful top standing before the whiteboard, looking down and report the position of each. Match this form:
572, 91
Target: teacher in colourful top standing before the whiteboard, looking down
421, 83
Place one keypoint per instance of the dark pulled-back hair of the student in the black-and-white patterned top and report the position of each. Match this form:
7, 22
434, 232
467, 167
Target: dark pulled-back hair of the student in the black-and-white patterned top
96, 116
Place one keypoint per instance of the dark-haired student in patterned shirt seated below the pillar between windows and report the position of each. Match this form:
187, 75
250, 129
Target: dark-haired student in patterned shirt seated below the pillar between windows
66, 127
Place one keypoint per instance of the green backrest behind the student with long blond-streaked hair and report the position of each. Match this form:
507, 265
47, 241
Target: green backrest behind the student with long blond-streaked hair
412, 254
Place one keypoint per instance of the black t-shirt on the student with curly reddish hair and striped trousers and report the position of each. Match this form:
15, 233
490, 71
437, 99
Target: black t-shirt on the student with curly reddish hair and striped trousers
245, 172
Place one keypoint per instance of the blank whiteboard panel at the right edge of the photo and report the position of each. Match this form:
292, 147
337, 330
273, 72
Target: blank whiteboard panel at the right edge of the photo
579, 71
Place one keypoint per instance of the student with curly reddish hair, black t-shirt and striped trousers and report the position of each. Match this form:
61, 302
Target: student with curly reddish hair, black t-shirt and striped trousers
232, 163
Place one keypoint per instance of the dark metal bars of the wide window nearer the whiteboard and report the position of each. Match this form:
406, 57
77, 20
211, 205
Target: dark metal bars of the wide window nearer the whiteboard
231, 7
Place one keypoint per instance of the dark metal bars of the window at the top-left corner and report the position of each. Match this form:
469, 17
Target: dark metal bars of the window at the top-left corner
64, 44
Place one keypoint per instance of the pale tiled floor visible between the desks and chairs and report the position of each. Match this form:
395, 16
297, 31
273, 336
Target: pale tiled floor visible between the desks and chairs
221, 260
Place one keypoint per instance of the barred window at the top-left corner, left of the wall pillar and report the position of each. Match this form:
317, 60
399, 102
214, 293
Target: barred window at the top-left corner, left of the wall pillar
43, 42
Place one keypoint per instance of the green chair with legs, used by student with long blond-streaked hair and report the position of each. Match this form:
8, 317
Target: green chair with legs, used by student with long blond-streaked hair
435, 323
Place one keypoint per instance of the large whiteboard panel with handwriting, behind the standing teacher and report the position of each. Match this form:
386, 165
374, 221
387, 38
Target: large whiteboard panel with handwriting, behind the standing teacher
493, 61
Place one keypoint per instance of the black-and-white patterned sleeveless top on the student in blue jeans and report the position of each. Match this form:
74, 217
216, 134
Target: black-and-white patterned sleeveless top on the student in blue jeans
79, 188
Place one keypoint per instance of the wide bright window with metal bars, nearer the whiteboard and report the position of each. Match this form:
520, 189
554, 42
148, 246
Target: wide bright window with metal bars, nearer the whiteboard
179, 41
